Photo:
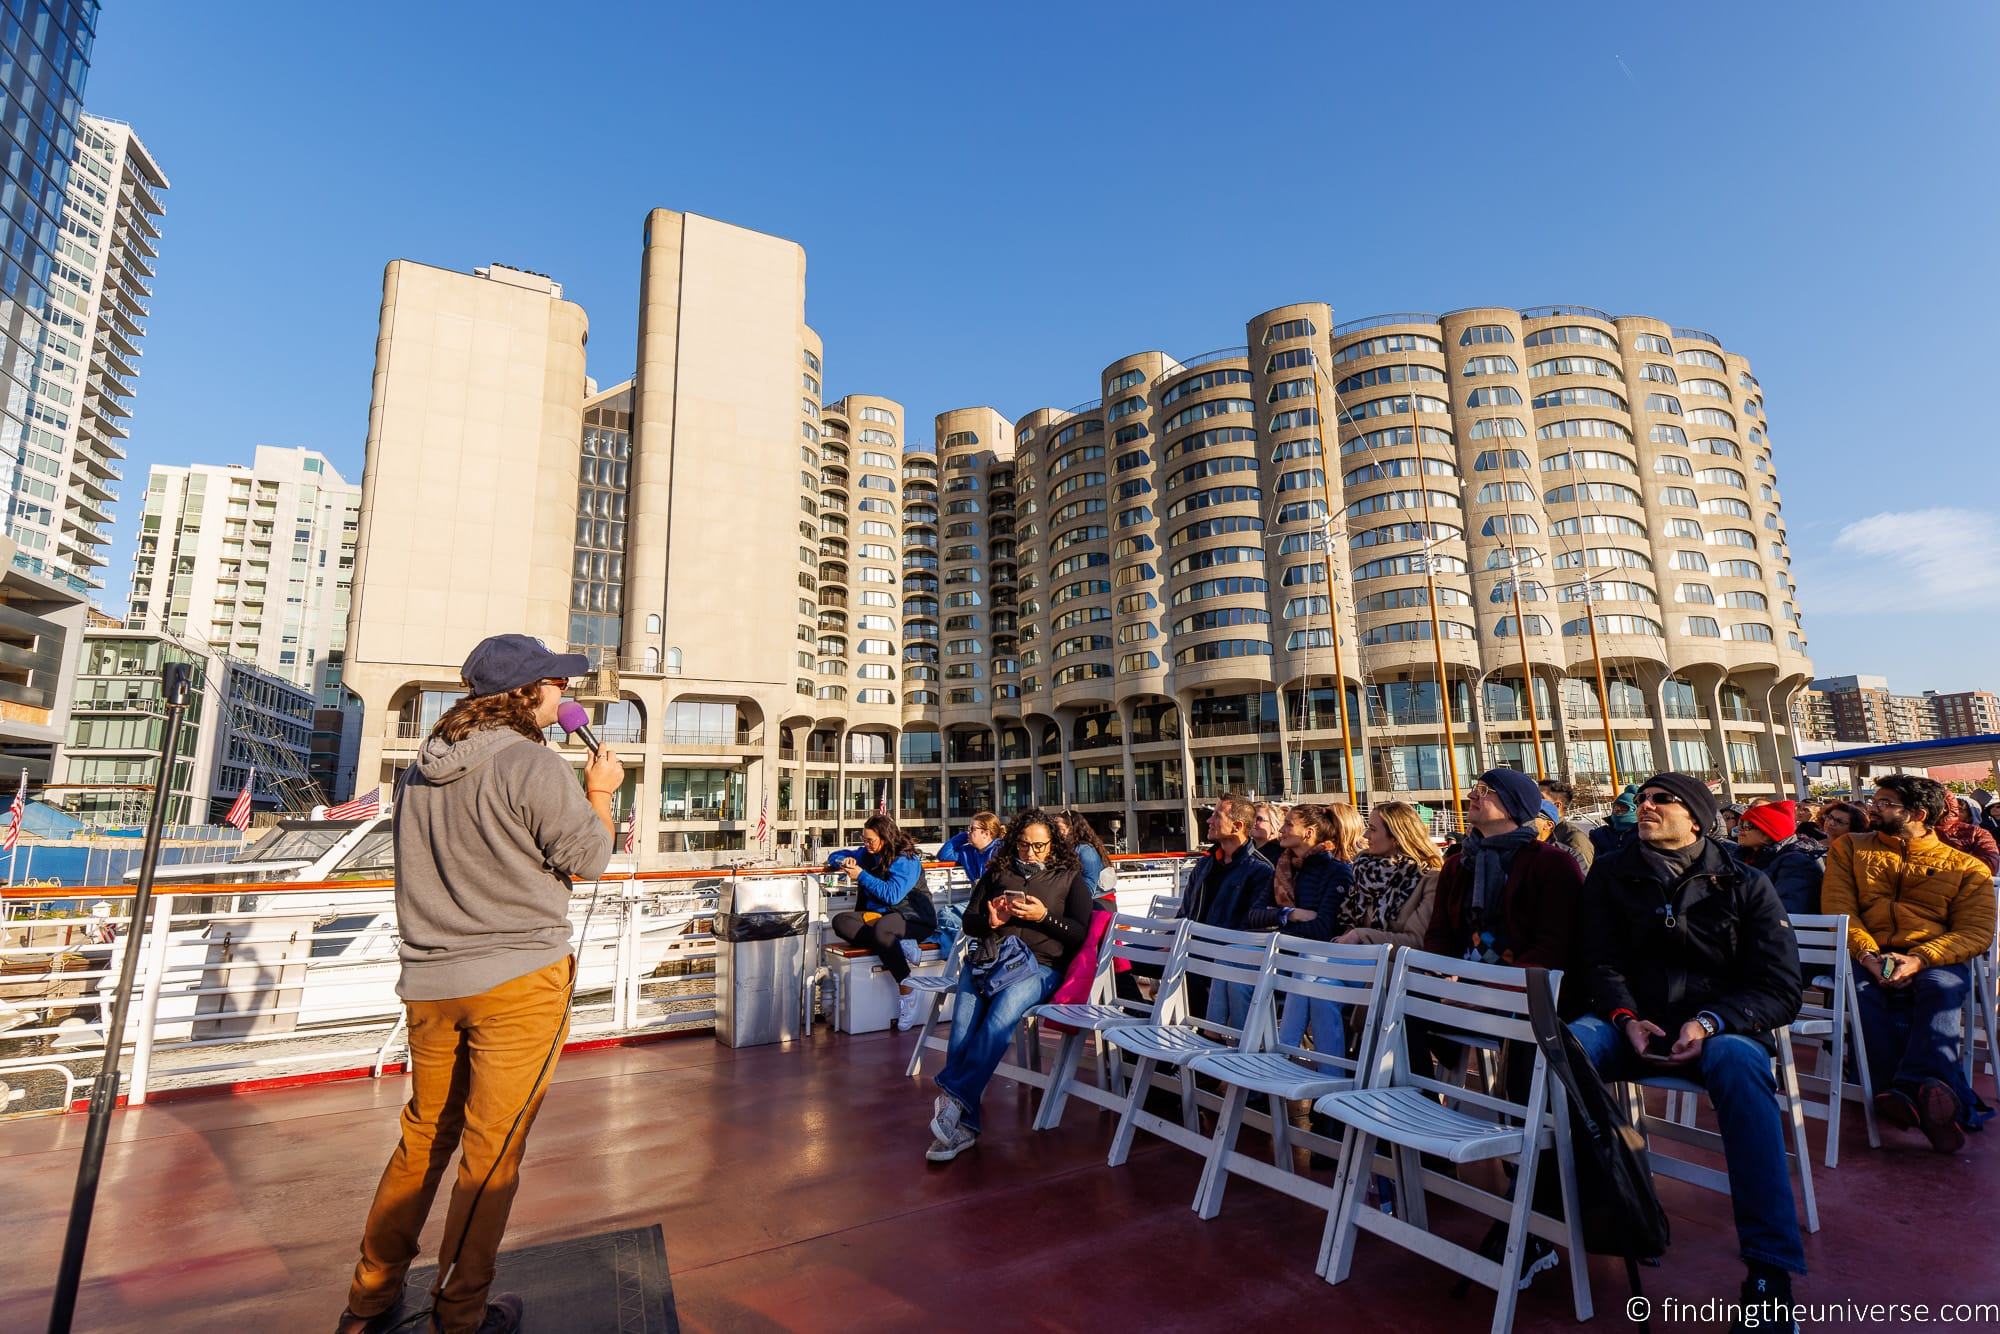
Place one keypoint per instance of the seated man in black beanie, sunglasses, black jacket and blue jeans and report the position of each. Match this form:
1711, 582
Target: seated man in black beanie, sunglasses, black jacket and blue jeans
1691, 967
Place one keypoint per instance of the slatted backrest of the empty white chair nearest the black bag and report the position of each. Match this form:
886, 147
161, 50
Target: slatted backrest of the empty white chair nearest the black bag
1455, 999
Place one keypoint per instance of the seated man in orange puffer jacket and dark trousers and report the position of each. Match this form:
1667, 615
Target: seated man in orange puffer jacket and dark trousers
1919, 913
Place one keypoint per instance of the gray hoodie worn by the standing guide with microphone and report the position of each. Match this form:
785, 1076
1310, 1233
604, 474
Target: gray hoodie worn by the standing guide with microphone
489, 835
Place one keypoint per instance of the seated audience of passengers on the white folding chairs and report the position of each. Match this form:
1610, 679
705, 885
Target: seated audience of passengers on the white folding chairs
1671, 923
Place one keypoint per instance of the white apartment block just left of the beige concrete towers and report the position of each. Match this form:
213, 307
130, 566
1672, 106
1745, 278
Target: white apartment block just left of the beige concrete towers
255, 561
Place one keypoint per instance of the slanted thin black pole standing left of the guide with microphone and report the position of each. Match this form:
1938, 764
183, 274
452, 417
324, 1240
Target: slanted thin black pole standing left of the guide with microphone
175, 681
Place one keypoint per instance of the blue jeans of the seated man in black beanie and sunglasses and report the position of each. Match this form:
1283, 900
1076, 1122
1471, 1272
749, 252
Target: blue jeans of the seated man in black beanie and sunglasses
1743, 1089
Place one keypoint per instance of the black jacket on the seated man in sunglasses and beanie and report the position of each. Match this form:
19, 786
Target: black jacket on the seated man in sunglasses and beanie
1713, 941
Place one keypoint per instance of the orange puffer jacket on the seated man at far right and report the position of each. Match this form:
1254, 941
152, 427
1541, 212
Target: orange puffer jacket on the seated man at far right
1911, 895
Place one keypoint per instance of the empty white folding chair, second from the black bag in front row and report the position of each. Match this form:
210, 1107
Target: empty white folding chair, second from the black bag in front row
1351, 975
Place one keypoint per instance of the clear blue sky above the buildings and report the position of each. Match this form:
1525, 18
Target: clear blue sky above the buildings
997, 201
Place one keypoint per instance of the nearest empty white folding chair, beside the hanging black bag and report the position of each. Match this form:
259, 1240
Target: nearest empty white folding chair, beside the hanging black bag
1419, 1115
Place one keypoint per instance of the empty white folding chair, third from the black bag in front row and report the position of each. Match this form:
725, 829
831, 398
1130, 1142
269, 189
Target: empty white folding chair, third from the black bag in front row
1177, 1035
